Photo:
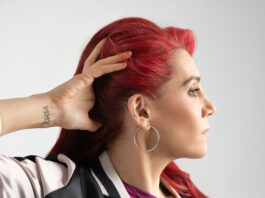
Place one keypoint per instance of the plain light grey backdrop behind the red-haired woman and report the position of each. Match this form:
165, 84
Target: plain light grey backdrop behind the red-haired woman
41, 42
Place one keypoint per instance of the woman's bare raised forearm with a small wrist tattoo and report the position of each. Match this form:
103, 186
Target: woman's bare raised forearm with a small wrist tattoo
36, 111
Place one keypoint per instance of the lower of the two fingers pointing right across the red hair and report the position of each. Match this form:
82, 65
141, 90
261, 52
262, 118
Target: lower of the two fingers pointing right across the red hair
104, 69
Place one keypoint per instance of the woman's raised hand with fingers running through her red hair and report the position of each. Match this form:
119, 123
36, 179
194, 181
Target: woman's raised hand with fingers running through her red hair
75, 98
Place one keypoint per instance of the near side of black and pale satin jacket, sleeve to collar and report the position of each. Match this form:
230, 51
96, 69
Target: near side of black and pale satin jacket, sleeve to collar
59, 176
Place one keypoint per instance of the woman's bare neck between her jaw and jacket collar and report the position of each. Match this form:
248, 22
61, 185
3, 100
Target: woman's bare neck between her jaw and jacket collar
139, 168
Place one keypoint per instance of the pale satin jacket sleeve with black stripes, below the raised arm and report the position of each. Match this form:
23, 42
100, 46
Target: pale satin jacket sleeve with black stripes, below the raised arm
34, 176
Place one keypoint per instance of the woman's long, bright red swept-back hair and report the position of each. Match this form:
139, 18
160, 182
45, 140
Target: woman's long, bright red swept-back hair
146, 71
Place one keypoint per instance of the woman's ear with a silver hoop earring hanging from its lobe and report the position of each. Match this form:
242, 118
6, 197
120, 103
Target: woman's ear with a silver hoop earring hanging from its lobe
139, 111
